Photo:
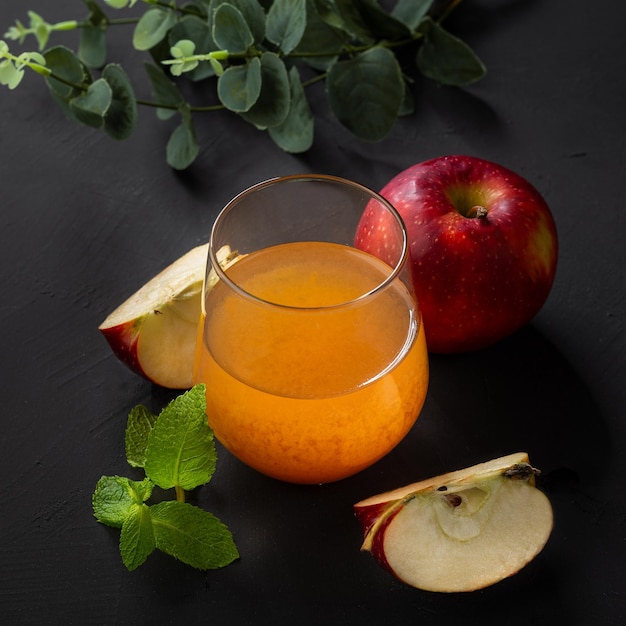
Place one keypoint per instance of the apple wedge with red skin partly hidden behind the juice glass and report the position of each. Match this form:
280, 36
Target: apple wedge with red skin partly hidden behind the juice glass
154, 331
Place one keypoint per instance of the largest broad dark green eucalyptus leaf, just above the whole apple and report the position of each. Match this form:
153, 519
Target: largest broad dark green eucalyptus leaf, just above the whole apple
366, 93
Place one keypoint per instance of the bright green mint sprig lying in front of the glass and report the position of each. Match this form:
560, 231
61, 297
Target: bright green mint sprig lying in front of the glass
176, 449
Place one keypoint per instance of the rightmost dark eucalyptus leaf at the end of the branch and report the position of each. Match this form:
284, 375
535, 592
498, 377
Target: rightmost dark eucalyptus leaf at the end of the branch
446, 59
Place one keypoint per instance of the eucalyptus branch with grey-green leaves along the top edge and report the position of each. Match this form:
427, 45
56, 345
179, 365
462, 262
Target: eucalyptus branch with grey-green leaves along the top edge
260, 58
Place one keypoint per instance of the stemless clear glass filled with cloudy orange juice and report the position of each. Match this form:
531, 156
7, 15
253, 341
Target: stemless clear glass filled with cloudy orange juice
312, 351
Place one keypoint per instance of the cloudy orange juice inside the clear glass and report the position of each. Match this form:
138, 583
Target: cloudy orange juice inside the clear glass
310, 380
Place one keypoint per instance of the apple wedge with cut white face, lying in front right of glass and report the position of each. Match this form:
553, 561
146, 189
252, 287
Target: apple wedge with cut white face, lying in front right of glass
460, 531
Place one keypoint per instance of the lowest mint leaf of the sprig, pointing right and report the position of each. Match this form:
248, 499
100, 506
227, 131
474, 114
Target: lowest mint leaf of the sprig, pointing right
192, 535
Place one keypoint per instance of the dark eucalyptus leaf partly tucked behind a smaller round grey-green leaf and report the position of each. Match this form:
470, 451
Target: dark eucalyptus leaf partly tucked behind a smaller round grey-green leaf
272, 105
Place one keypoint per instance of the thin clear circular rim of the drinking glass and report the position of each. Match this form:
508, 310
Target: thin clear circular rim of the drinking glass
230, 205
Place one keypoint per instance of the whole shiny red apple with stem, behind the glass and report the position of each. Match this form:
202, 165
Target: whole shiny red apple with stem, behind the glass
483, 248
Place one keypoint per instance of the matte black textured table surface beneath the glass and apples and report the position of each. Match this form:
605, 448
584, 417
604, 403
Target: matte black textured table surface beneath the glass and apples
86, 220
